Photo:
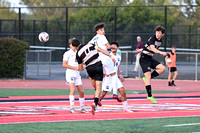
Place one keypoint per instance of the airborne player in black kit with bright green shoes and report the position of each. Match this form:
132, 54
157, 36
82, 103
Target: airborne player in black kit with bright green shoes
147, 62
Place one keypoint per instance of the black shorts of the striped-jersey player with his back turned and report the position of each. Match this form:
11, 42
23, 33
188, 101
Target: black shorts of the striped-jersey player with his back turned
95, 71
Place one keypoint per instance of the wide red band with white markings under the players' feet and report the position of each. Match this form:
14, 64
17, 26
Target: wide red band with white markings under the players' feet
26, 112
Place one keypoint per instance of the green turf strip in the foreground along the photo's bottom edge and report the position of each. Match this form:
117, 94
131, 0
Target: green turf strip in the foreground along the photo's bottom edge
155, 125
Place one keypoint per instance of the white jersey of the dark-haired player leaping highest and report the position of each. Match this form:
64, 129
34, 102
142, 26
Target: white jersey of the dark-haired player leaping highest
100, 41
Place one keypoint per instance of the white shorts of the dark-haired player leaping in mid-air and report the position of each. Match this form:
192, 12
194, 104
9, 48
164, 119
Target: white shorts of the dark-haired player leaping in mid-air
108, 65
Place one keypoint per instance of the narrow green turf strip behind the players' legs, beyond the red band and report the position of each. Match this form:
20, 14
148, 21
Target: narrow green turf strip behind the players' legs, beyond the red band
55, 92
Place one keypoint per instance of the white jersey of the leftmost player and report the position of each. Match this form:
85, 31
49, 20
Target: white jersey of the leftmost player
70, 57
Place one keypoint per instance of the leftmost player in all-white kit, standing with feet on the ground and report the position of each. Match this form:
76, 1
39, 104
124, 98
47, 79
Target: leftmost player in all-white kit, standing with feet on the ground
73, 77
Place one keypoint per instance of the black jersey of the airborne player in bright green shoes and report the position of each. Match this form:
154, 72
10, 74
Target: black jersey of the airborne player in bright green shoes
152, 41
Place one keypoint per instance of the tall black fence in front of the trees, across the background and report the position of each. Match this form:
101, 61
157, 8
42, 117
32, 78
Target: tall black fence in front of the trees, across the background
26, 25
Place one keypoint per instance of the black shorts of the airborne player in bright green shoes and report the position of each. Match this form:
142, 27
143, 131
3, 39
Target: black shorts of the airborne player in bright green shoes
147, 63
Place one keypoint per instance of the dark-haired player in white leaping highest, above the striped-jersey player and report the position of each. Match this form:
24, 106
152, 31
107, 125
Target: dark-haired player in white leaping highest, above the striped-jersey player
100, 40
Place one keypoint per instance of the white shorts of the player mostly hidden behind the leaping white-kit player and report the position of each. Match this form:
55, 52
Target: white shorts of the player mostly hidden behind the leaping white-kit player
107, 85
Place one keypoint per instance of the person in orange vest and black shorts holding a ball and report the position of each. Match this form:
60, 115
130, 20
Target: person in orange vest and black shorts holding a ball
172, 66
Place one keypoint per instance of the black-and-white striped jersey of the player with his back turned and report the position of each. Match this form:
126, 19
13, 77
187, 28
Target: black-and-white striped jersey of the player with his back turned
87, 54
